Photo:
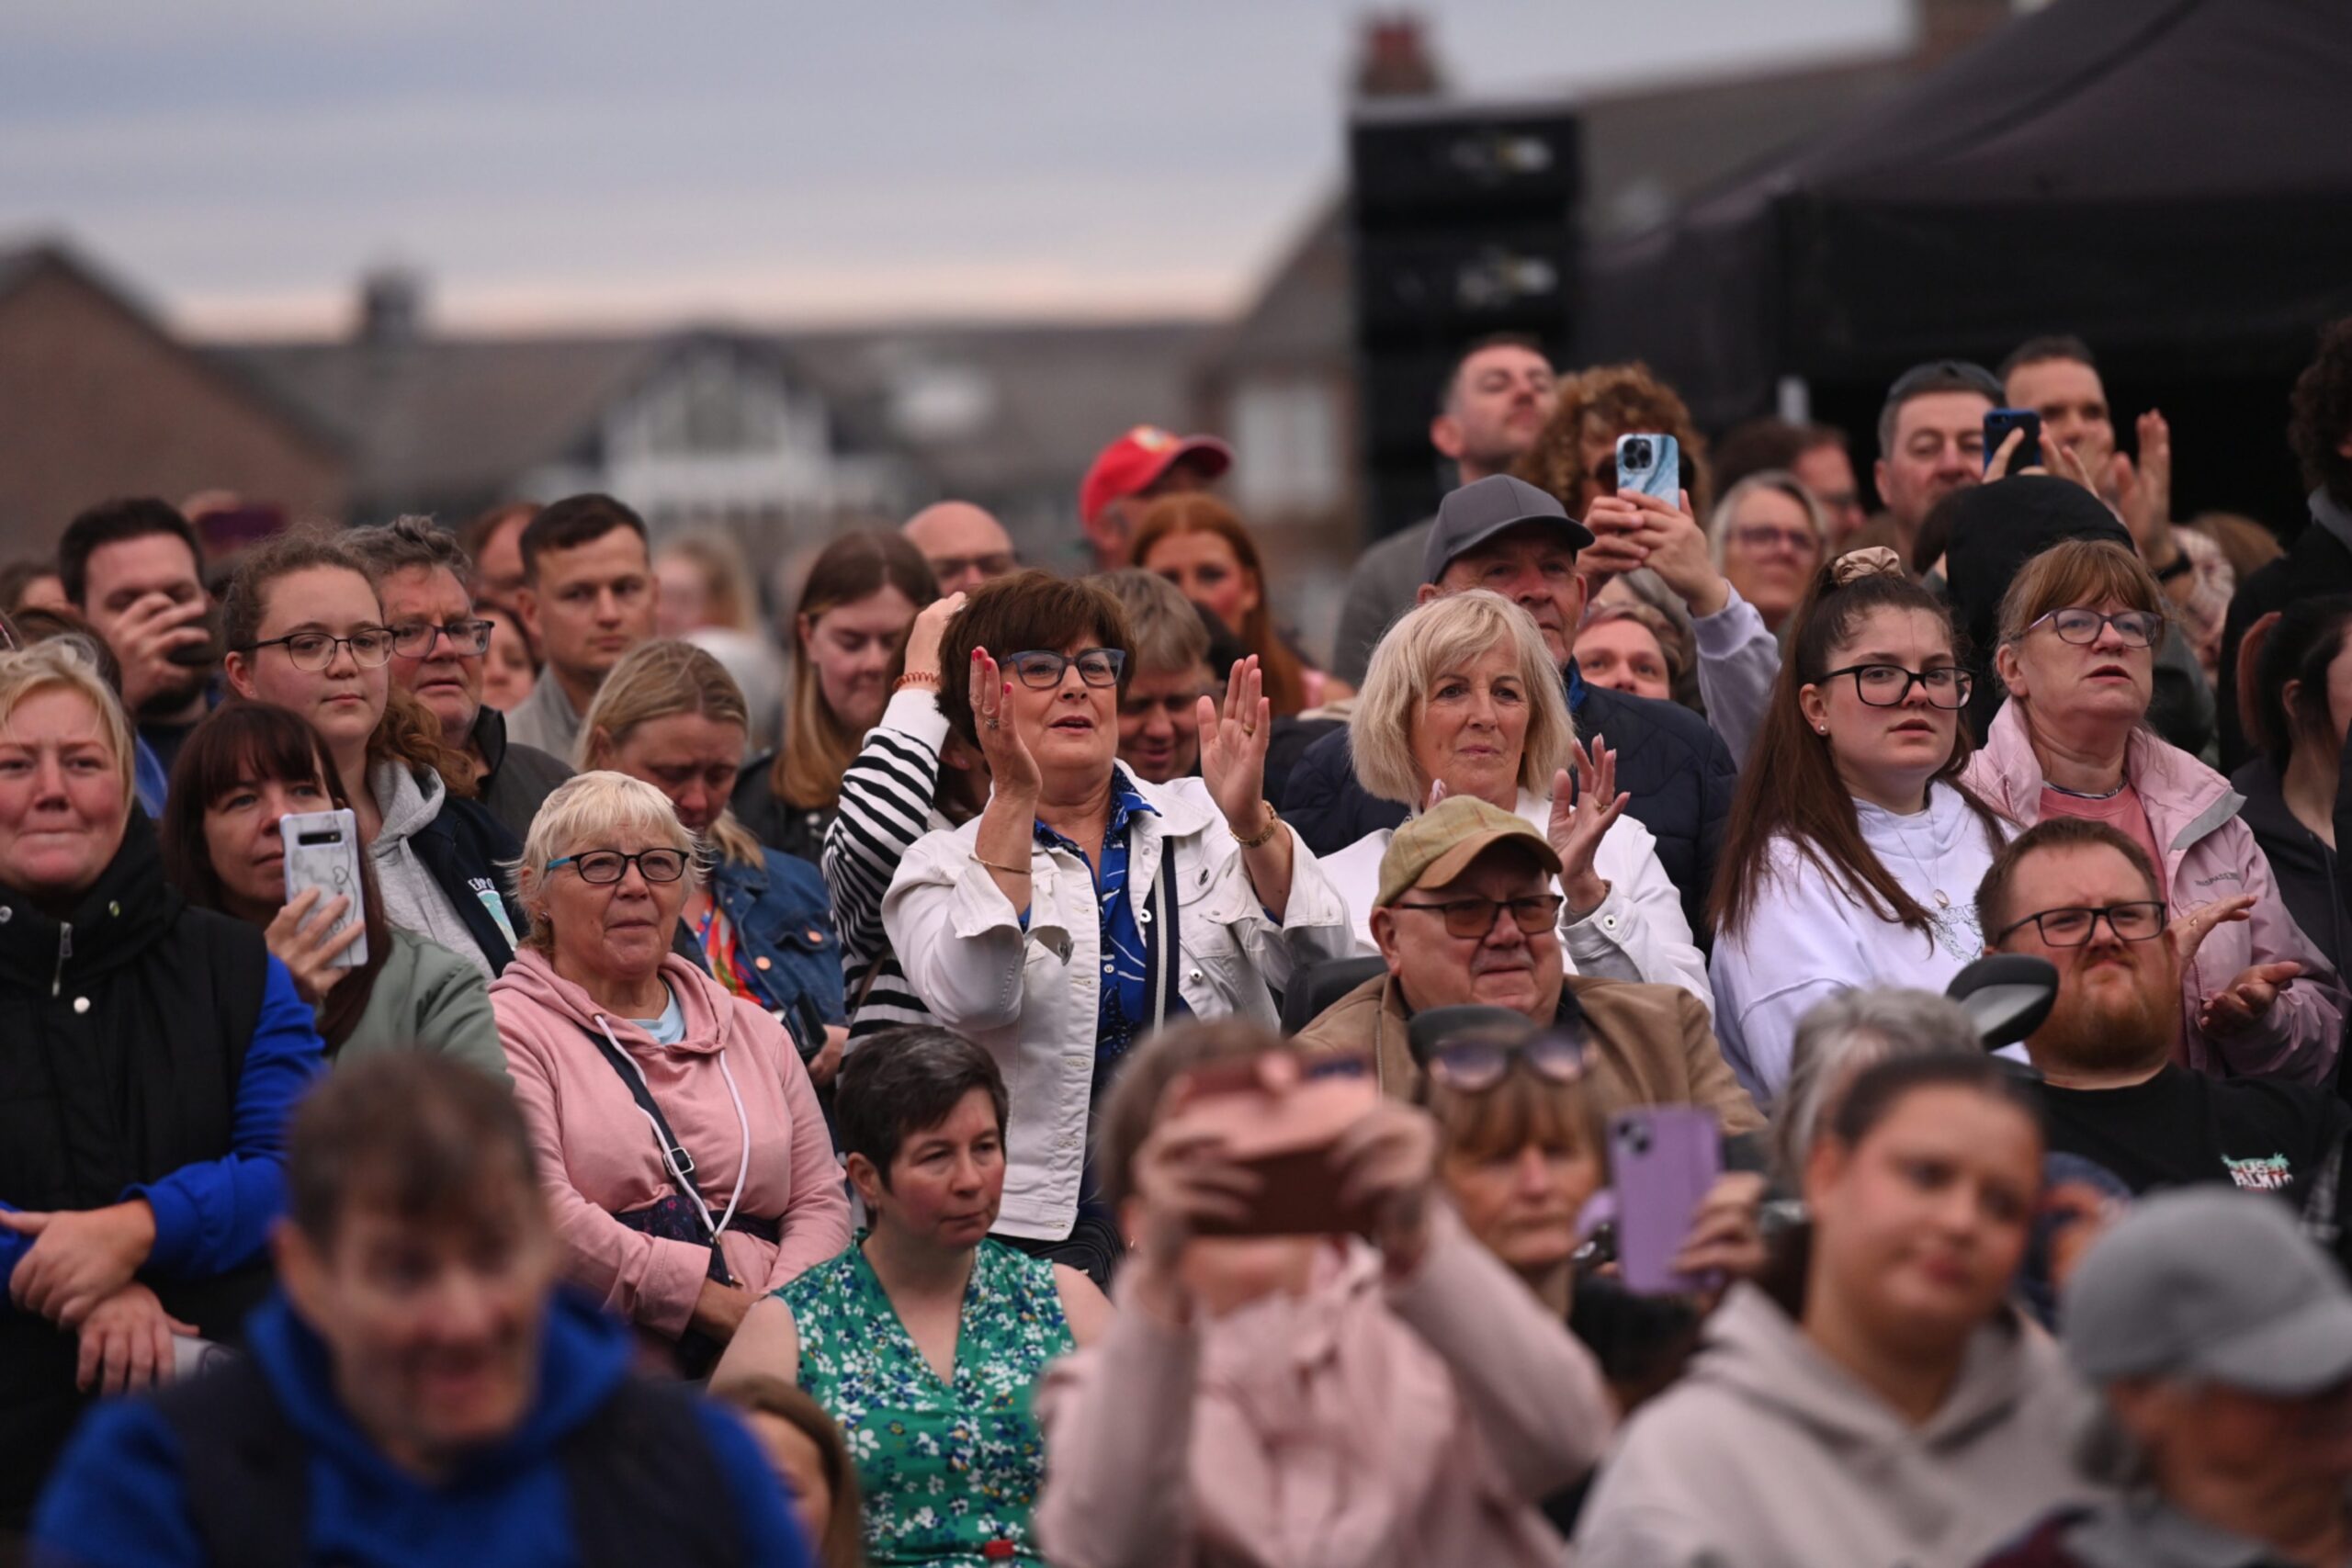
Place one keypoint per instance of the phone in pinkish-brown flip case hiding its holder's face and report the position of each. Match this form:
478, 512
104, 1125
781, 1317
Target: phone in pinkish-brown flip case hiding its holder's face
1285, 1134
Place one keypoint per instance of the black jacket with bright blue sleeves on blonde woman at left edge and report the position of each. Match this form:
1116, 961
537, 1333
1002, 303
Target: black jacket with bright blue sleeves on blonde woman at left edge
147, 1050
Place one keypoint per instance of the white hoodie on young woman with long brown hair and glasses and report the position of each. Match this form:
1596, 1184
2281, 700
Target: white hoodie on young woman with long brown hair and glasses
1810, 937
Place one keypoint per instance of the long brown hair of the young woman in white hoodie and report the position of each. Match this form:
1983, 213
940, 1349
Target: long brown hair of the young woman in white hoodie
1791, 786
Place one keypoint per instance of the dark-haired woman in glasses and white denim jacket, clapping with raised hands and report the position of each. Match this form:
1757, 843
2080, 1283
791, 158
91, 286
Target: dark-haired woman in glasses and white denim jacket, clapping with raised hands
1083, 909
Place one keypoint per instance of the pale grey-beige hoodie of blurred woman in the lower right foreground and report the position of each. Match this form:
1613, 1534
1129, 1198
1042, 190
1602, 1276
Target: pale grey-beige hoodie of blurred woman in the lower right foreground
1772, 1456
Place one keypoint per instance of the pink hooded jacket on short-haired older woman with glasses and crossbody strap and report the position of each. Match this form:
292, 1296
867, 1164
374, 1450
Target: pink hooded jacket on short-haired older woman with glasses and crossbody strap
599, 1153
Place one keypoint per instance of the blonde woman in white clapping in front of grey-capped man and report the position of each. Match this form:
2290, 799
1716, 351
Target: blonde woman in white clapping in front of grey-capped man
1464, 699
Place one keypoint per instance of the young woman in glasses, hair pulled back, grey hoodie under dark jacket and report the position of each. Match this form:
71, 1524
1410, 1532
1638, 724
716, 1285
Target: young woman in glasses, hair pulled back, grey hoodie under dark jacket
305, 631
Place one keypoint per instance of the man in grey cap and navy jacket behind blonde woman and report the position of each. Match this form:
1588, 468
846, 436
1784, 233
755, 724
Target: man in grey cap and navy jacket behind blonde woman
1516, 540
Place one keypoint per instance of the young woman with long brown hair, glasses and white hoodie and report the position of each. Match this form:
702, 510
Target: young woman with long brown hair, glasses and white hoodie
1855, 847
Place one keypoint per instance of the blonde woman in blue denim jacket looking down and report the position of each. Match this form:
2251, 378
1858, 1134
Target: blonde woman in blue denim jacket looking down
674, 718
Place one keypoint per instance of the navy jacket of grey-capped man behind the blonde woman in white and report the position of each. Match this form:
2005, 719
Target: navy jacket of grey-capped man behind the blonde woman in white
1678, 772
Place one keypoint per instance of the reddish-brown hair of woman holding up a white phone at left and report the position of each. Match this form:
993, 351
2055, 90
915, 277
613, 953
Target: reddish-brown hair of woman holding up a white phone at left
236, 742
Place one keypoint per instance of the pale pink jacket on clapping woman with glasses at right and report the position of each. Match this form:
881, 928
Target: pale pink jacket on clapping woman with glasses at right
2207, 855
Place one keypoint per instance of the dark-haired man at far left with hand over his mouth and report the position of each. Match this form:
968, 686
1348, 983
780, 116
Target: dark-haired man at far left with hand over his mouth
135, 570
